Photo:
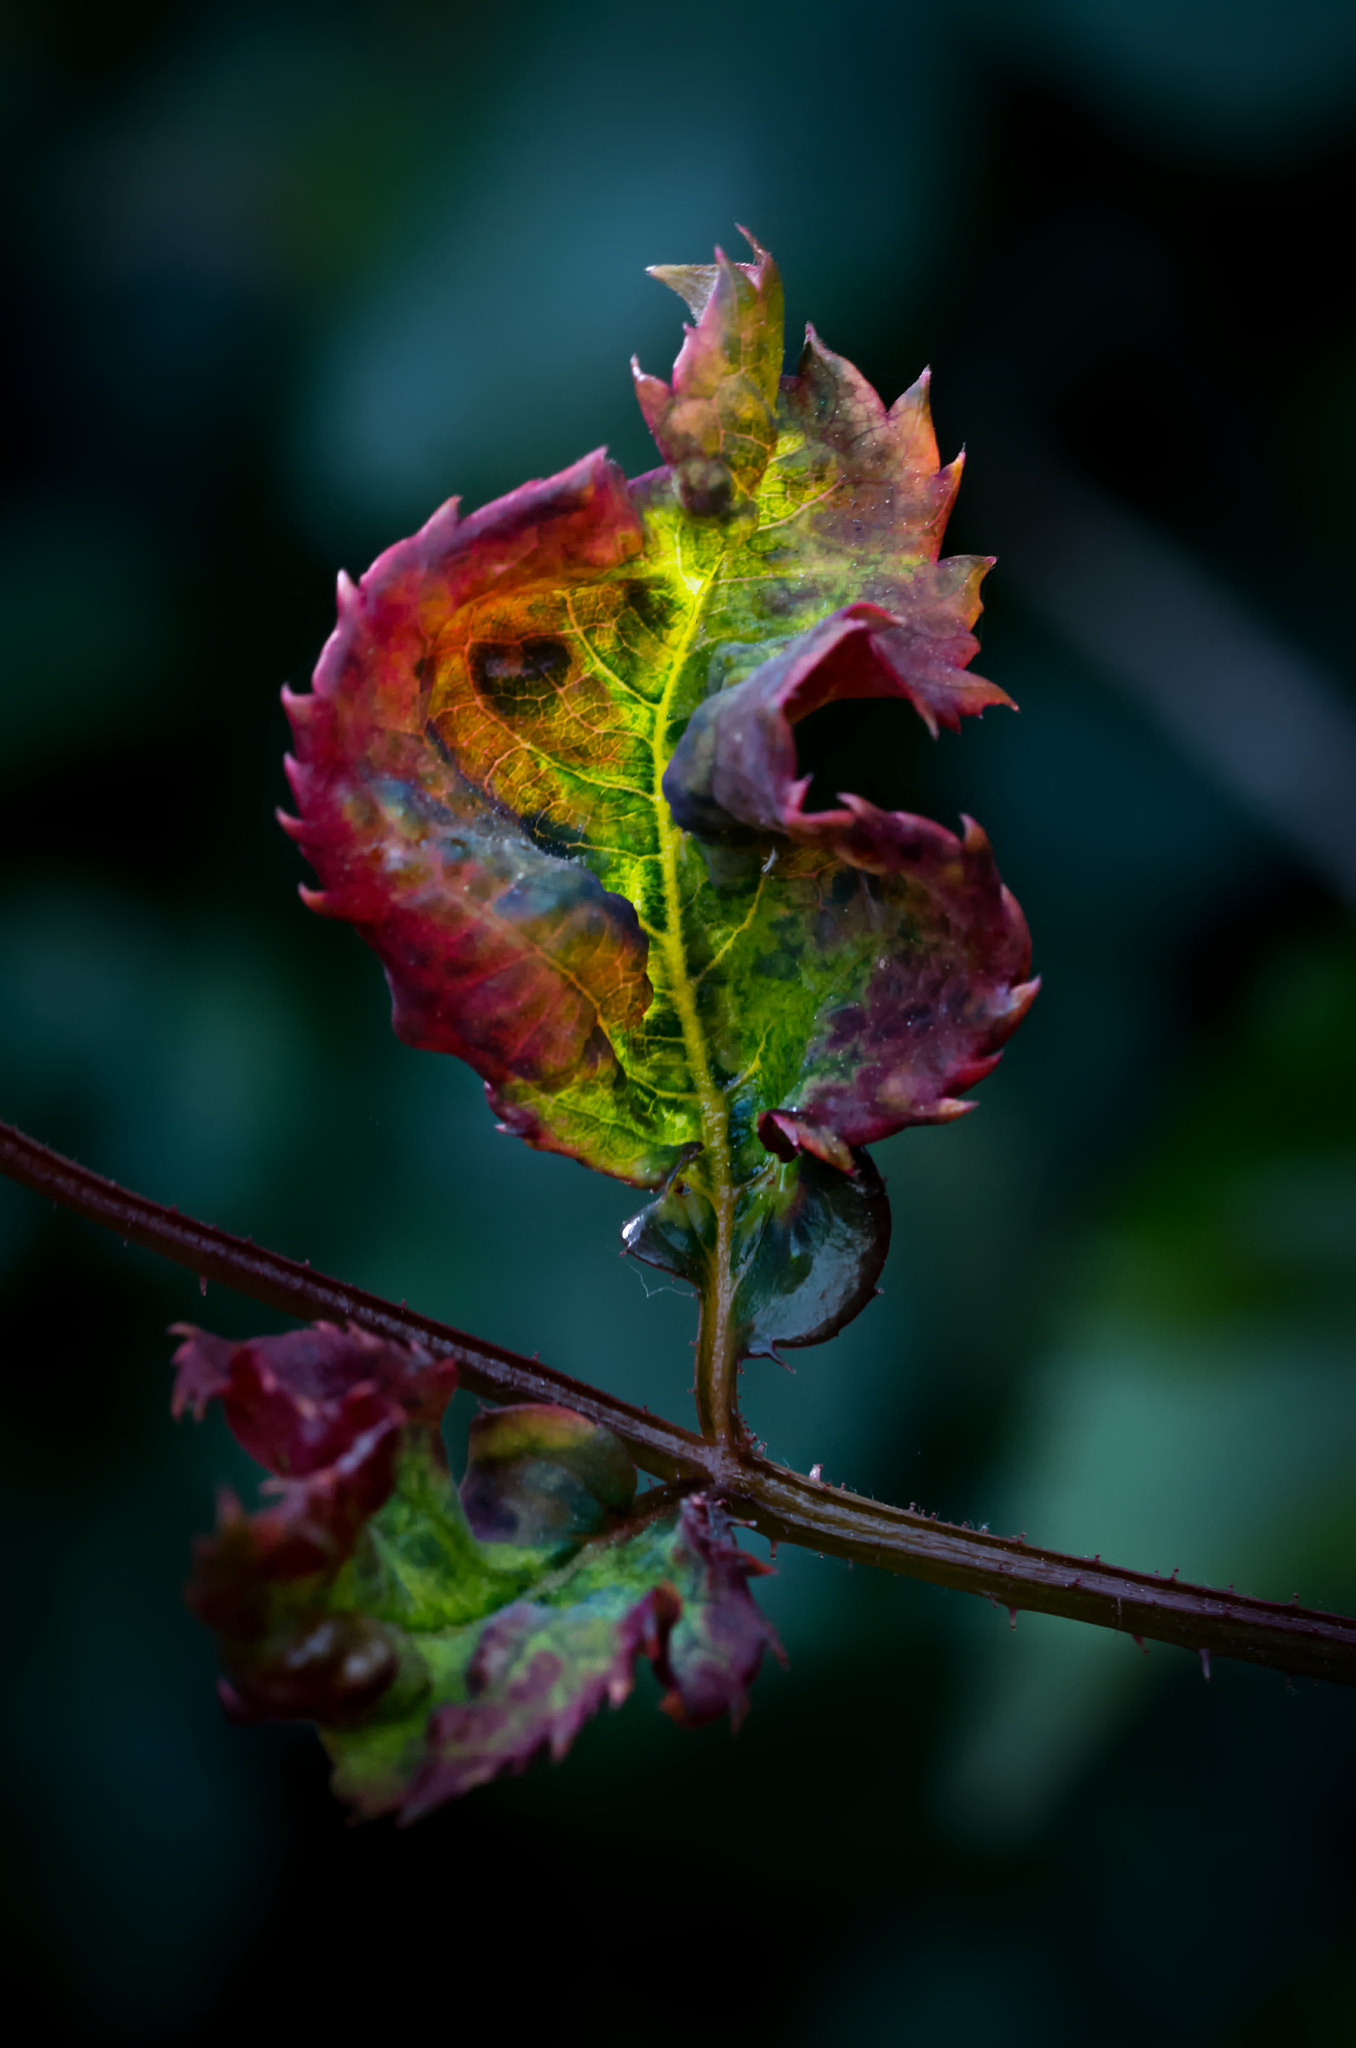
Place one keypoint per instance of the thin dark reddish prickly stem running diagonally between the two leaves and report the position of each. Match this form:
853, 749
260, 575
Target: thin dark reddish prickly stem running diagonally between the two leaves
781, 1504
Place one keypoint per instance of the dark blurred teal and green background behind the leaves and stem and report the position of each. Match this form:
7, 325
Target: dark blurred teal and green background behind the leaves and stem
278, 282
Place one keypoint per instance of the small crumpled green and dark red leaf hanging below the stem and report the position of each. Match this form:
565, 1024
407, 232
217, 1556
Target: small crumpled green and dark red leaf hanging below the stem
446, 1639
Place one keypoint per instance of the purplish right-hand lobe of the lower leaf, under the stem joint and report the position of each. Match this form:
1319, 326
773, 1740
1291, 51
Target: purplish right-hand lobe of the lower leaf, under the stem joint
716, 1648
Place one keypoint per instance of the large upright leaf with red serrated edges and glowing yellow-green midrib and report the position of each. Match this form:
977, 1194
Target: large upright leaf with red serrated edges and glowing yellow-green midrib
550, 771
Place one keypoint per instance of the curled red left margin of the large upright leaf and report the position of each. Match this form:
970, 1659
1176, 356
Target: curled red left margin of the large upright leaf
497, 951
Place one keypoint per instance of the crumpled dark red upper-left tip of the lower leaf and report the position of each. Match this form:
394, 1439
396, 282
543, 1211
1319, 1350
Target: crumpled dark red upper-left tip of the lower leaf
321, 1410
